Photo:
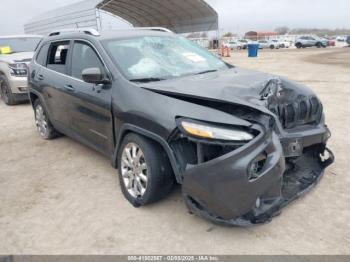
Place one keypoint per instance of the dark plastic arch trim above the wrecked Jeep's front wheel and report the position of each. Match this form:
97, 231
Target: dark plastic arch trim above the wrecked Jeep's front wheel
129, 128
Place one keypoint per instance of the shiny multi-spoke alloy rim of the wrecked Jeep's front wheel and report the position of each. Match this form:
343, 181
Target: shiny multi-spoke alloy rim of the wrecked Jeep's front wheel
134, 170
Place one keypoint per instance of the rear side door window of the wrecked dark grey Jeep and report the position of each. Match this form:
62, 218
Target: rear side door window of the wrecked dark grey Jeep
58, 57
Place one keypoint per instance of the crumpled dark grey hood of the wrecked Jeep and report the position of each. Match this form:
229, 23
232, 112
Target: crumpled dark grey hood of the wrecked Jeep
237, 85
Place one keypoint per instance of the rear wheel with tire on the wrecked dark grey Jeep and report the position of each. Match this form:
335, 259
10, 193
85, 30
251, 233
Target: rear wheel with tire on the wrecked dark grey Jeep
42, 121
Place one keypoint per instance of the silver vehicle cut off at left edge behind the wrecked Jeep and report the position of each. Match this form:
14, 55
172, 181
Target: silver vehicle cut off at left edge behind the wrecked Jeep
16, 52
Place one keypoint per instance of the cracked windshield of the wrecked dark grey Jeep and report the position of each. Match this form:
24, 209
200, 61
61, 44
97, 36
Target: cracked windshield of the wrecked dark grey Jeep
161, 58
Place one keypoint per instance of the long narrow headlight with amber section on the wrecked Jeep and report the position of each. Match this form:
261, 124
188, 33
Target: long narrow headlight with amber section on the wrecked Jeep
207, 131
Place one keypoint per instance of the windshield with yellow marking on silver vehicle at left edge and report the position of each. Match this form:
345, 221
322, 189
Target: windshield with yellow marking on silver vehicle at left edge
20, 44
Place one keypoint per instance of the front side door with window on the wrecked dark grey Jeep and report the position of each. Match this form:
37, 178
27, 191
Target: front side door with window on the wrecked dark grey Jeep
89, 104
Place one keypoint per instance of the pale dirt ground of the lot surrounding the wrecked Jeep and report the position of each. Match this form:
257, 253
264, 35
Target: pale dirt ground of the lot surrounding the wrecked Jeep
60, 197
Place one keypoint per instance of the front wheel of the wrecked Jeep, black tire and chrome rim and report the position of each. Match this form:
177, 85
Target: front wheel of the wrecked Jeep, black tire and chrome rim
145, 173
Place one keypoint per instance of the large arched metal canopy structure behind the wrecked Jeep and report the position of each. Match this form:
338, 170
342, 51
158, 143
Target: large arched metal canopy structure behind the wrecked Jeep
180, 16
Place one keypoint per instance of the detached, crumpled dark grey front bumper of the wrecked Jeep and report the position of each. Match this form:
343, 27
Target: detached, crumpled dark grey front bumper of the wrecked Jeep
220, 190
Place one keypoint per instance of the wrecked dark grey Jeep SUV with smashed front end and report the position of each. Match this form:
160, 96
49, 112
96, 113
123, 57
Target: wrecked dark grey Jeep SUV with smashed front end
242, 144
